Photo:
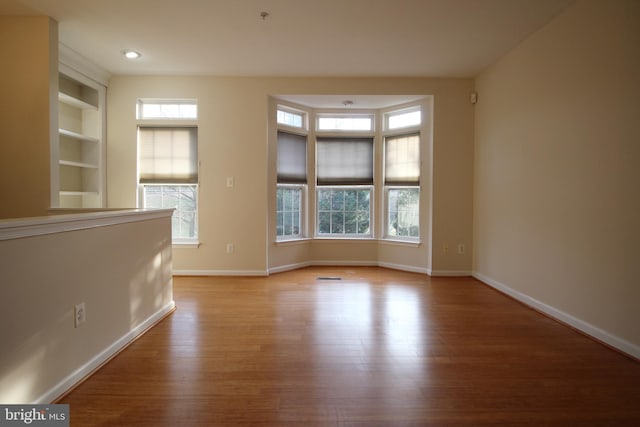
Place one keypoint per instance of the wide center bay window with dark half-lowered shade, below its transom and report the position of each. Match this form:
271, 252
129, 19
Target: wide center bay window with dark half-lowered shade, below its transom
344, 177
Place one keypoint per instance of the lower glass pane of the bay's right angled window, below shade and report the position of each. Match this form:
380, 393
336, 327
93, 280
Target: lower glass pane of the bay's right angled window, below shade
404, 211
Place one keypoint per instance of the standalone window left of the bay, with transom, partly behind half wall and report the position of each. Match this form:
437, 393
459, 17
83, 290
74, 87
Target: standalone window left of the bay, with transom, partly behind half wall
168, 168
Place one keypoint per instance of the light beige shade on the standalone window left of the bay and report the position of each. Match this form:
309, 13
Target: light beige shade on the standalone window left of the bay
168, 155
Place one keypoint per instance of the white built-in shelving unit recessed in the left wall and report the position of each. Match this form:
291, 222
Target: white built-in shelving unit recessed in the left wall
78, 155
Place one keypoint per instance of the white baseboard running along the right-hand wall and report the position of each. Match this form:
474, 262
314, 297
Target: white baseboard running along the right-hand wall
614, 341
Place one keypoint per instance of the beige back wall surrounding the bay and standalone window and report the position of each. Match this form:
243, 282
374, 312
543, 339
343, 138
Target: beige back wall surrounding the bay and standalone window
233, 141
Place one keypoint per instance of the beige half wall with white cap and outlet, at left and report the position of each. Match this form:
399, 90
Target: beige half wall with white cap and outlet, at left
44, 276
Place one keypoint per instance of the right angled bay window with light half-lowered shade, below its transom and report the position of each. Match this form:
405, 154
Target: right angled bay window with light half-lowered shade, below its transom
402, 185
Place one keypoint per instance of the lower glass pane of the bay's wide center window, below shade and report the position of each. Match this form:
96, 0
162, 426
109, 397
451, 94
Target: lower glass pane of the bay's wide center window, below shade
343, 211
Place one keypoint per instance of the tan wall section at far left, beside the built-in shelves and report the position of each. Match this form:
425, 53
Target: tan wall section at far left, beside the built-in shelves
29, 77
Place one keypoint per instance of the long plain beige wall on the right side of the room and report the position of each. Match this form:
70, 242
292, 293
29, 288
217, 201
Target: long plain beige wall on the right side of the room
557, 189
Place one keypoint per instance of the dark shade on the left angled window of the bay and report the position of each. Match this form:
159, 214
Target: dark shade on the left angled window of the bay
292, 158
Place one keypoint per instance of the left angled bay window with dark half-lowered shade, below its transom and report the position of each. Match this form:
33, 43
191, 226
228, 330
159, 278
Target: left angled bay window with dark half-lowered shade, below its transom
292, 179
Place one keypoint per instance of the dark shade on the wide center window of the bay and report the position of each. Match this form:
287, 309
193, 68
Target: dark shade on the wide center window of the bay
344, 161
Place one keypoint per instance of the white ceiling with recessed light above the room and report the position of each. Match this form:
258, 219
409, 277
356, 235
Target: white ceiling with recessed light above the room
365, 38
